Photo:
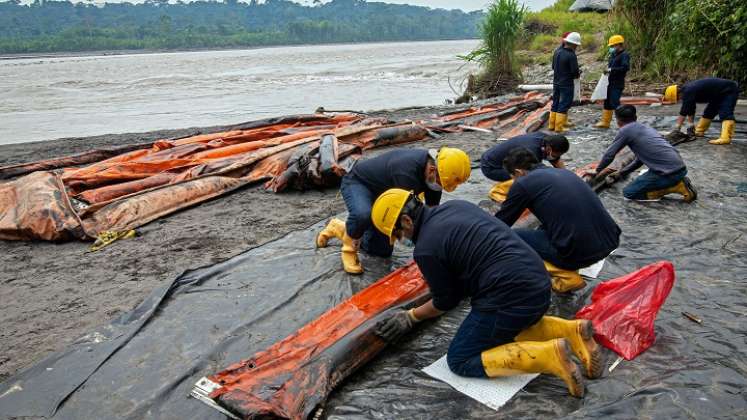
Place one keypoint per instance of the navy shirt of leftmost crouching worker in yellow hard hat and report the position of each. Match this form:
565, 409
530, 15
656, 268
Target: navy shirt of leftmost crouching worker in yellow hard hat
397, 169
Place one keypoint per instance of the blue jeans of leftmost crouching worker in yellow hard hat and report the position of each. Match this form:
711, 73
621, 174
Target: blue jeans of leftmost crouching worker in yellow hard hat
359, 201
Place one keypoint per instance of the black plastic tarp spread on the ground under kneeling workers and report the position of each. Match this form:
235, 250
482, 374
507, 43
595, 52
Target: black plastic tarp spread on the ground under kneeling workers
214, 316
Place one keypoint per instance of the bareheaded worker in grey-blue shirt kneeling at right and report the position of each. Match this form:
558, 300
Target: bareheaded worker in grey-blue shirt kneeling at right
666, 171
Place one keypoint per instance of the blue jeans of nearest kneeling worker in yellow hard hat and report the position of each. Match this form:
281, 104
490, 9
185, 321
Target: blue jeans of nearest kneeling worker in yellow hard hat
482, 331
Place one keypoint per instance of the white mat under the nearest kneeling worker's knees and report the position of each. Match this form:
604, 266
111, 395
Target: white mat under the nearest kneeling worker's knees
492, 392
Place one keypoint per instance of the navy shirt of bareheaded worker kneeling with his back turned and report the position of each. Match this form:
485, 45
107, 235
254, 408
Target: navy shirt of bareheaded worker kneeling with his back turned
578, 225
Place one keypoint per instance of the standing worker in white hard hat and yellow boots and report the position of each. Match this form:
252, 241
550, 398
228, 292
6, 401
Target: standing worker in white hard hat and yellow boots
565, 70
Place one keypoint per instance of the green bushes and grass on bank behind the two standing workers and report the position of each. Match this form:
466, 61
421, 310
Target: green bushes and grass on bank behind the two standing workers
669, 40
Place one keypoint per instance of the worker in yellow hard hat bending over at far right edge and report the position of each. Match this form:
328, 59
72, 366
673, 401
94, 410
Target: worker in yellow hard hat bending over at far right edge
720, 95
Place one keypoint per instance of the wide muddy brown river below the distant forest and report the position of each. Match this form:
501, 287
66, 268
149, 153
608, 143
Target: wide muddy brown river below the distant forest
49, 98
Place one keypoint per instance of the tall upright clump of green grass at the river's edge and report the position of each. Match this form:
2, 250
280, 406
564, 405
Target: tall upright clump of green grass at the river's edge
501, 29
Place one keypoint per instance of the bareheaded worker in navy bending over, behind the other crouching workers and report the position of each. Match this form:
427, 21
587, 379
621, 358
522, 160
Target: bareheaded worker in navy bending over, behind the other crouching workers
543, 146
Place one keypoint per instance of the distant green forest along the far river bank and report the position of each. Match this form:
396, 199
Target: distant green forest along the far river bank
62, 26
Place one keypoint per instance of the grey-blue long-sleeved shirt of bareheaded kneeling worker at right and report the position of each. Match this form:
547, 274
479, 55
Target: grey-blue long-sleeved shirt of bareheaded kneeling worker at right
650, 148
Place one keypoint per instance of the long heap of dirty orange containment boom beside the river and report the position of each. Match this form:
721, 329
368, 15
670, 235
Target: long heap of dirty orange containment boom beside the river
122, 189
